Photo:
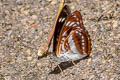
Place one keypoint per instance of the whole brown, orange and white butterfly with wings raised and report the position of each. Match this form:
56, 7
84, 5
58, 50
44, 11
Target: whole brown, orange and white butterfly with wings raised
71, 40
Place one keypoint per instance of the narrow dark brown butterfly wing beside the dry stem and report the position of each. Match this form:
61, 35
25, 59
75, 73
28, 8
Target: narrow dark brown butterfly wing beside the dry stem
61, 20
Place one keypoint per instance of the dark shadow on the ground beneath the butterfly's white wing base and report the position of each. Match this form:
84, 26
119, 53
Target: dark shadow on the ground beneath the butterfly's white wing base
65, 65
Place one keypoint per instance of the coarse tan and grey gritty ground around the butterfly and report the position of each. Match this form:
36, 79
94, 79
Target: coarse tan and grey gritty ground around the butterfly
25, 25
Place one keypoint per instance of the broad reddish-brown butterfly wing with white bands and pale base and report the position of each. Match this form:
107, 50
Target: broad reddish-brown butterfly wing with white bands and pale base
74, 41
